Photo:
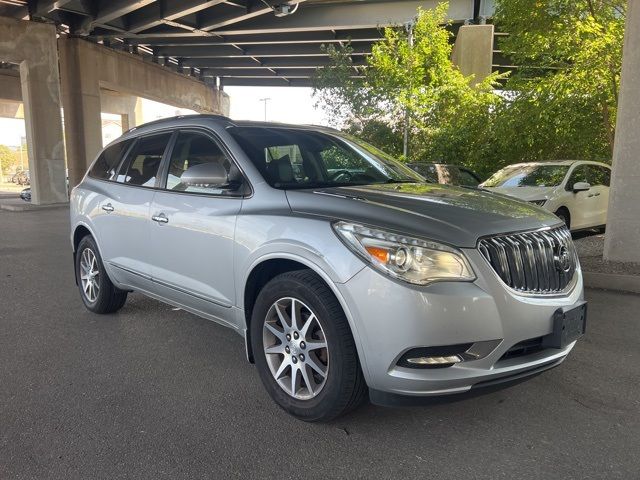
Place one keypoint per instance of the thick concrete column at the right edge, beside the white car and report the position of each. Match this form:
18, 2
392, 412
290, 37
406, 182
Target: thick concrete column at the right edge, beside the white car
622, 240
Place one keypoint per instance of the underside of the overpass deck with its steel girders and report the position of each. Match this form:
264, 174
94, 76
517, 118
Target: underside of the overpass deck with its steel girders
235, 42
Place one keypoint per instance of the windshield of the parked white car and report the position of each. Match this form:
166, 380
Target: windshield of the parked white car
528, 176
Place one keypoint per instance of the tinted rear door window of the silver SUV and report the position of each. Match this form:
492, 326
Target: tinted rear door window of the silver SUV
143, 162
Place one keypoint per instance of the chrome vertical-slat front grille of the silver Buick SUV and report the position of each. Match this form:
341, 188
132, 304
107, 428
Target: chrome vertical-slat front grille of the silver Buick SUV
539, 262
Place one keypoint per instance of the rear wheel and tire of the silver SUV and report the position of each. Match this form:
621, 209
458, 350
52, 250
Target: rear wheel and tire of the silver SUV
102, 296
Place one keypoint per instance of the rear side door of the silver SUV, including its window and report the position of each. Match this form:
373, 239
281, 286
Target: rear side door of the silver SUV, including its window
123, 222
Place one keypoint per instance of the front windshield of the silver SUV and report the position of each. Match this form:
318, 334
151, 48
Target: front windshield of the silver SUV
290, 158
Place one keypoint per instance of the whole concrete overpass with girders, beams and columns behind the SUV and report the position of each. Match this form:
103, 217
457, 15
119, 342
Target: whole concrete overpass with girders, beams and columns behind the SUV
92, 56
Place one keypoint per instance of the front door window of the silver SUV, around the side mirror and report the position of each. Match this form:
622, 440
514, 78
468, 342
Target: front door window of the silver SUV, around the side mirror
191, 149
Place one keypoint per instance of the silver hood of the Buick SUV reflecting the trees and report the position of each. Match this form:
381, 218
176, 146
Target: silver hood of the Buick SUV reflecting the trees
453, 215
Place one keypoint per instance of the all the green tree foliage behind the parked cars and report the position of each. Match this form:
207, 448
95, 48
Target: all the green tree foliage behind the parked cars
561, 103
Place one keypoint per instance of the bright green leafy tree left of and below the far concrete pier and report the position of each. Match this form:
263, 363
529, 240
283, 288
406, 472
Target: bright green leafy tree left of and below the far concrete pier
449, 117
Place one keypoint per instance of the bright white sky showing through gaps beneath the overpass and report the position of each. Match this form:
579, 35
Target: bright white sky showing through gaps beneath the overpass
285, 104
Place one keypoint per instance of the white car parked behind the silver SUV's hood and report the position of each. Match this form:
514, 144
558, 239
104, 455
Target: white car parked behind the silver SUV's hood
577, 191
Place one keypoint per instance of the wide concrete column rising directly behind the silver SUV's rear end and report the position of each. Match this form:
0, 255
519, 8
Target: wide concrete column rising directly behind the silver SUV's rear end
81, 100
